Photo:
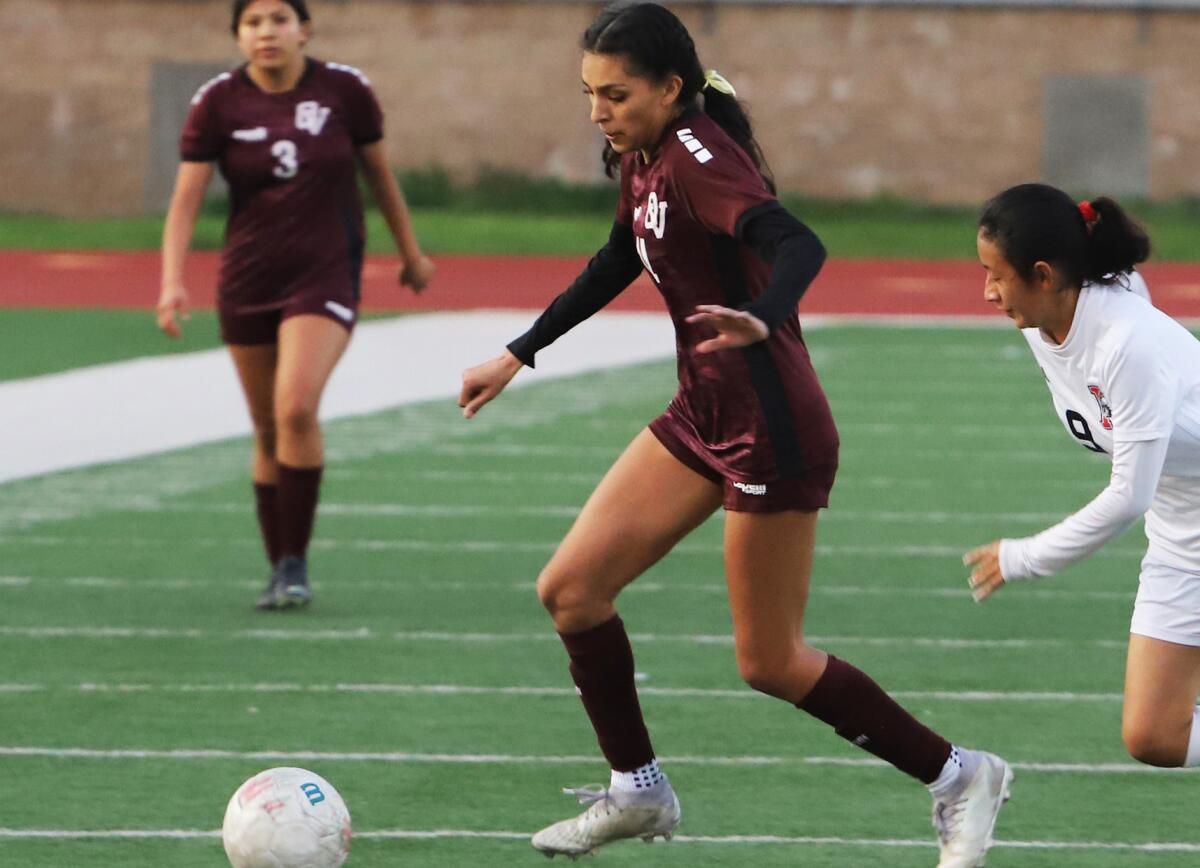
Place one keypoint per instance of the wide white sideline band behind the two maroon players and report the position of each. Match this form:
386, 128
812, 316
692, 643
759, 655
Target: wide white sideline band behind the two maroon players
153, 405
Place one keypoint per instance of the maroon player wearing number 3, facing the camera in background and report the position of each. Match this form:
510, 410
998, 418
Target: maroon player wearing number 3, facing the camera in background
289, 134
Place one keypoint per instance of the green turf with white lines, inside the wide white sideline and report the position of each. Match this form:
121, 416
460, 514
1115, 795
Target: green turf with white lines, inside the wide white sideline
428, 685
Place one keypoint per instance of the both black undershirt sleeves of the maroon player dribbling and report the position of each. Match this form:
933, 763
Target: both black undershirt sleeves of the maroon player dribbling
784, 243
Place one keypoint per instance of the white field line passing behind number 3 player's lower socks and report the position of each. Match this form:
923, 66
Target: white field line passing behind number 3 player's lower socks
488, 546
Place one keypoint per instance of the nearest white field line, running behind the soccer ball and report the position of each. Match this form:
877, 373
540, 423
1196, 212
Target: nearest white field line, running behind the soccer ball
687, 840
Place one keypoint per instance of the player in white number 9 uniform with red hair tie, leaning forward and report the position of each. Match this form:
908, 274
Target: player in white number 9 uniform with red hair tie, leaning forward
1125, 380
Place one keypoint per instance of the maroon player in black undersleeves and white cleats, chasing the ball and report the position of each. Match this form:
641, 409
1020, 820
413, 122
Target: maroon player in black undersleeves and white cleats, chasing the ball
749, 429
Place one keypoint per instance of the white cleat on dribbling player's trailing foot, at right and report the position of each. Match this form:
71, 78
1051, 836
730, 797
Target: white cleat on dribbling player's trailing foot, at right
967, 822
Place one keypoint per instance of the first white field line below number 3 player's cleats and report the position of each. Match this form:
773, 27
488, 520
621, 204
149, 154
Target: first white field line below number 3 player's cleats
368, 634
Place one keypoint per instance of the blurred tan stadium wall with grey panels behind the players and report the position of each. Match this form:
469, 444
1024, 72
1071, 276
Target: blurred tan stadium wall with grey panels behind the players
945, 104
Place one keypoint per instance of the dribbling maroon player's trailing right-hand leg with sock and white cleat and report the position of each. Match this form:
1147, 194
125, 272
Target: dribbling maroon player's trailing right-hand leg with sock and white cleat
769, 561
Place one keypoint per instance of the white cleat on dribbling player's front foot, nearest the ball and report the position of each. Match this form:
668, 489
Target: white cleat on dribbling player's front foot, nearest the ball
613, 816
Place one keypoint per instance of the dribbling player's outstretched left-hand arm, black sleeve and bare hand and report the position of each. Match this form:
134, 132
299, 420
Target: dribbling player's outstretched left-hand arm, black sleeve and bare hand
614, 268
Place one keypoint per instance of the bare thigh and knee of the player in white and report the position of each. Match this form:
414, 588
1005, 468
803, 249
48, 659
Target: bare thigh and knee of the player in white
1161, 725
